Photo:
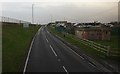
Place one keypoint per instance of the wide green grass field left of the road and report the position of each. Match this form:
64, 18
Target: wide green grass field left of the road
15, 44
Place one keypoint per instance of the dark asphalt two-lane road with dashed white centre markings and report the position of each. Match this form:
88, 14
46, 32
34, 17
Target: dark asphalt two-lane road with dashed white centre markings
49, 54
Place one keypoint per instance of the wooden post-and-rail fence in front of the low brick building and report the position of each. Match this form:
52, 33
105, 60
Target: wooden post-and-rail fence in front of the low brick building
107, 50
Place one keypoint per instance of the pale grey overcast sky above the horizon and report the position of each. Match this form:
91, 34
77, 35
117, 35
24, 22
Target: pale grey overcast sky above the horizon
77, 11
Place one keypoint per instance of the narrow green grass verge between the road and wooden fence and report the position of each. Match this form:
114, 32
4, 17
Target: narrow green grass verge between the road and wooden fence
75, 41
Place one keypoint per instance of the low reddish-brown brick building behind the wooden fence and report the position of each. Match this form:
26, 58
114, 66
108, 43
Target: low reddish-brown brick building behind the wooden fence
93, 33
